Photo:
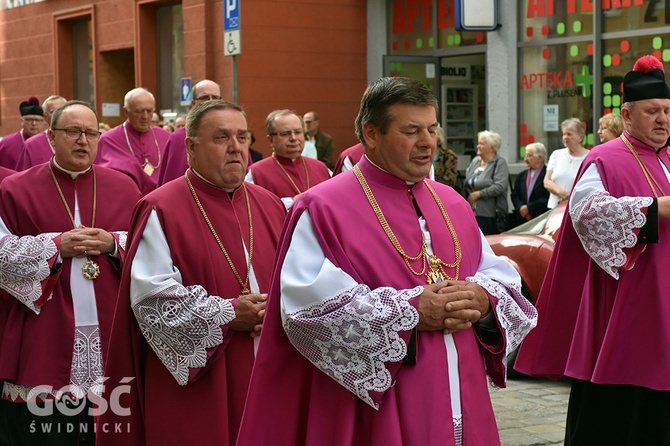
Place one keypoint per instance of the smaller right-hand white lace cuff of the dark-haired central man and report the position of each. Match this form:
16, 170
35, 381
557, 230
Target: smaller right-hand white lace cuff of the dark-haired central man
514, 313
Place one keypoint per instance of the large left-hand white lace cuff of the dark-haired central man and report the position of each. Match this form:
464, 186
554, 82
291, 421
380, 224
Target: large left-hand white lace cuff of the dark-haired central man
351, 335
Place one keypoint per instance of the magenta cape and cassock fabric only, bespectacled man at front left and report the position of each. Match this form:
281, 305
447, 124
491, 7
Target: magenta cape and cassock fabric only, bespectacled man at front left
37, 349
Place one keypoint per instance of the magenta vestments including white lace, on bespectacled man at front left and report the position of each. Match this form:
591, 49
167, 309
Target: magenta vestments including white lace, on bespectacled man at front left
42, 341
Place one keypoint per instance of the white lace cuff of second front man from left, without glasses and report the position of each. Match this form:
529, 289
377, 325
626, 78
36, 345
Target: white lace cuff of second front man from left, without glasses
180, 323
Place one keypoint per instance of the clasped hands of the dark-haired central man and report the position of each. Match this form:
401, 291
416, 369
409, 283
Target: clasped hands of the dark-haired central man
451, 306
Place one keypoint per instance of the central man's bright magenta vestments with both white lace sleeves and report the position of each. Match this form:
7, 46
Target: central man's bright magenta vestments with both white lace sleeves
341, 314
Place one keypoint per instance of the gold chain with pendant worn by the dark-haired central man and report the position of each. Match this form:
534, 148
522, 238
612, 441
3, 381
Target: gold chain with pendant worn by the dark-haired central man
437, 272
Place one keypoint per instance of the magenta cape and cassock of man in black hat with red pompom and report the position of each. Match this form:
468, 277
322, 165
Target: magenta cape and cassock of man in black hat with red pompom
591, 326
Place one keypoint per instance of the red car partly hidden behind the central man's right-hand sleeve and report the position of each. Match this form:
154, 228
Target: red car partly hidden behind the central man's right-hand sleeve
528, 248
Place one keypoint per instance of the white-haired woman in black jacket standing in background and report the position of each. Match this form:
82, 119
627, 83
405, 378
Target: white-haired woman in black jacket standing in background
529, 196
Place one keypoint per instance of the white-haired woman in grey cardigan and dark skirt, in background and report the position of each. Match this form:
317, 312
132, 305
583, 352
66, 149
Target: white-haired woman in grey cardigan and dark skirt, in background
486, 181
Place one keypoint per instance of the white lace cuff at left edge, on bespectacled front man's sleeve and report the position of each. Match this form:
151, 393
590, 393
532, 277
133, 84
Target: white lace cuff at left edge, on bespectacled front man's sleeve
24, 265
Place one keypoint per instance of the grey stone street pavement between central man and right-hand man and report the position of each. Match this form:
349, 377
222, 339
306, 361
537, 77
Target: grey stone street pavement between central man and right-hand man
531, 412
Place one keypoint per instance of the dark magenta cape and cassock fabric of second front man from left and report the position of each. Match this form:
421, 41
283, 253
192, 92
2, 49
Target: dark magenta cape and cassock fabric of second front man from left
208, 409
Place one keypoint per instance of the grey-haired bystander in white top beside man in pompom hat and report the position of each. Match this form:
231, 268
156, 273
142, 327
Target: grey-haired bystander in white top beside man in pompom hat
564, 163
